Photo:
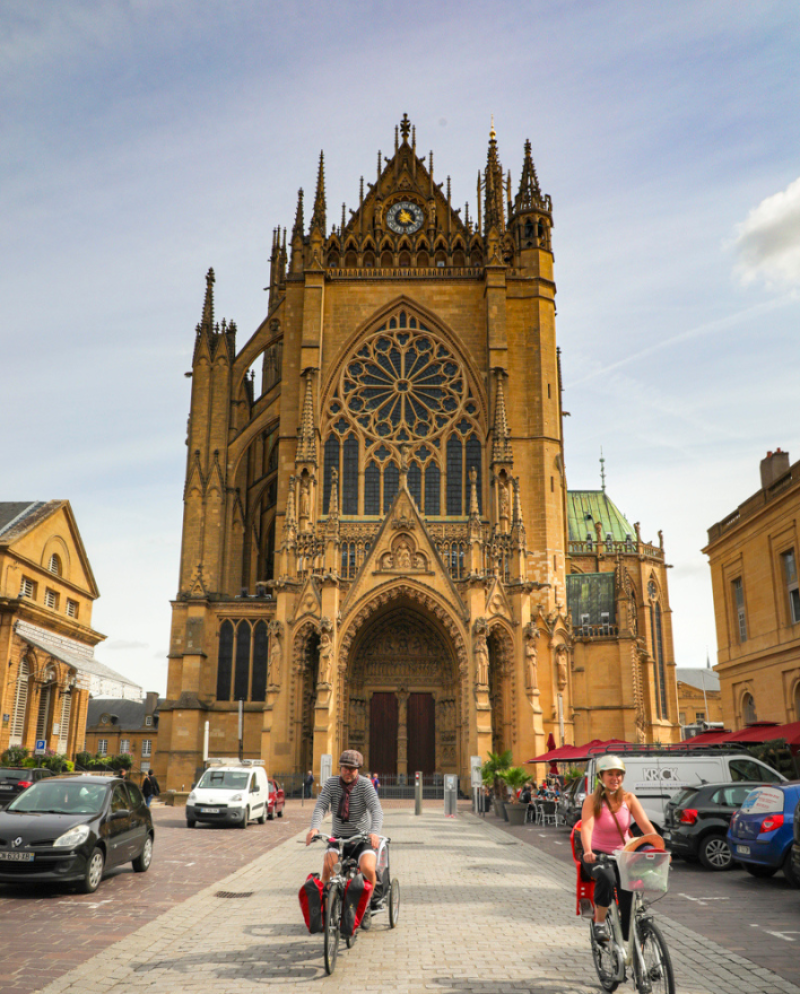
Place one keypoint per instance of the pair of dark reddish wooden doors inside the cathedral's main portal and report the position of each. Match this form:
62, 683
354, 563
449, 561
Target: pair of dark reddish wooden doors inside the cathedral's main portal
402, 734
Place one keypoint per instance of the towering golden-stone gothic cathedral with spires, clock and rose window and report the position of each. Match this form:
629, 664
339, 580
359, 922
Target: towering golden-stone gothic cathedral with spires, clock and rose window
375, 549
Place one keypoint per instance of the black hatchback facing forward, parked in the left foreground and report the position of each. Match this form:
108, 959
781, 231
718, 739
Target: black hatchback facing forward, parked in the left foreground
73, 828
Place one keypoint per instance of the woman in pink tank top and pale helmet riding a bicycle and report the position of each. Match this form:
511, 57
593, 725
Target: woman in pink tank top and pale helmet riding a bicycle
605, 826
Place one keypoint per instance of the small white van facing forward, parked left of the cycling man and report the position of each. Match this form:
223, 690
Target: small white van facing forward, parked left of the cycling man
229, 793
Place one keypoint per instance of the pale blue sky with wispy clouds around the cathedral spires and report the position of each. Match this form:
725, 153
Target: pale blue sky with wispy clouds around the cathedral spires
146, 141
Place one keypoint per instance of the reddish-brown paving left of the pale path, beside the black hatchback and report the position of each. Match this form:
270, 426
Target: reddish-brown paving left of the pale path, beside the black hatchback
45, 931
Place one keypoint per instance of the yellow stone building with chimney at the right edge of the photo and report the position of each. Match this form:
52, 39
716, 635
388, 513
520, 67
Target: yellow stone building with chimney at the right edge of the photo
753, 554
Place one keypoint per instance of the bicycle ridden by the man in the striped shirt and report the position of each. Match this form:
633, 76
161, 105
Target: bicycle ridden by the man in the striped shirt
345, 869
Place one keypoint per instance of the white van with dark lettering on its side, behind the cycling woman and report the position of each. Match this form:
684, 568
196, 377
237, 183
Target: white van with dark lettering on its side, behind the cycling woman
654, 775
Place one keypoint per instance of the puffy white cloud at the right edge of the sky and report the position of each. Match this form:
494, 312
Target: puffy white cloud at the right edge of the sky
767, 242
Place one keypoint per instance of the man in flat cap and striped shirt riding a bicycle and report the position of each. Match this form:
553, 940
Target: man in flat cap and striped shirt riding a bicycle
355, 808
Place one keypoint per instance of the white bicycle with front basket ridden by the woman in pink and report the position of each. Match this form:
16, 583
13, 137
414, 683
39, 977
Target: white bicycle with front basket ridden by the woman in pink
644, 951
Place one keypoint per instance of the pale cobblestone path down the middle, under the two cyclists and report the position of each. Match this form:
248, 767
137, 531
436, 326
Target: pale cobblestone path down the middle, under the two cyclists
482, 913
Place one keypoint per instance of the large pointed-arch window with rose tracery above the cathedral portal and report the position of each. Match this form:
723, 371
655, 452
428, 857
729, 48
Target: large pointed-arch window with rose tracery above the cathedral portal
403, 397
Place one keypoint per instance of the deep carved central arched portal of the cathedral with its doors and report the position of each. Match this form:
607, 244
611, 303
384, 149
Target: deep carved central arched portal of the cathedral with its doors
401, 693
